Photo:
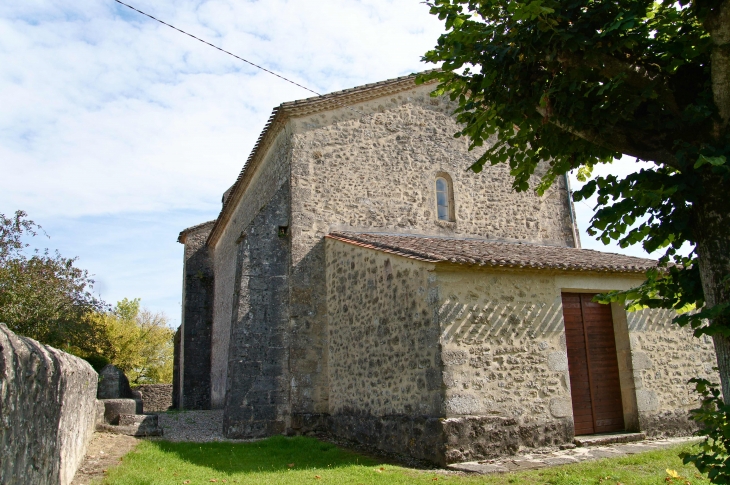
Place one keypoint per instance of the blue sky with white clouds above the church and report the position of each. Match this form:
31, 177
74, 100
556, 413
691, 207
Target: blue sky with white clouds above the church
117, 132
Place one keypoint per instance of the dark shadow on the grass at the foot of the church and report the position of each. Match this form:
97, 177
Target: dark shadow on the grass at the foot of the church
273, 454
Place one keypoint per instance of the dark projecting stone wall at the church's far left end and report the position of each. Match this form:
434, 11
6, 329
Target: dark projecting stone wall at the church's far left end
197, 320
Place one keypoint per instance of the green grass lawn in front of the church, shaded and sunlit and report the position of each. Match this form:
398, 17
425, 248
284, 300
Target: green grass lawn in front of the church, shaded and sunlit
282, 460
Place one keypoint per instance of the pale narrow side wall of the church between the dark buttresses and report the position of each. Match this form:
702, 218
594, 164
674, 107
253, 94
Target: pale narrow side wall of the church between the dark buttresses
270, 176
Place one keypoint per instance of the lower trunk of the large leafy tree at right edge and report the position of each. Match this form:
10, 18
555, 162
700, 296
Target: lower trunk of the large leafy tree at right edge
713, 249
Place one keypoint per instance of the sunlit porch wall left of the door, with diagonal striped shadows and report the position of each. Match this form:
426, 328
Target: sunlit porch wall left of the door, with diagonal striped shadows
503, 341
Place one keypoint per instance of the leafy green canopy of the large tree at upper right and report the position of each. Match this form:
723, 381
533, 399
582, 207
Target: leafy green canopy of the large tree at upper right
550, 86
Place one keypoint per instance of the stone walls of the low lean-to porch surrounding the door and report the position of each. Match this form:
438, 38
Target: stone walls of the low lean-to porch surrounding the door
499, 378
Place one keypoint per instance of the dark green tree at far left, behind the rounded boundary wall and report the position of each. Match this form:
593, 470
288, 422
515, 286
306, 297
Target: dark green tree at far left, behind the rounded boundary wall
42, 295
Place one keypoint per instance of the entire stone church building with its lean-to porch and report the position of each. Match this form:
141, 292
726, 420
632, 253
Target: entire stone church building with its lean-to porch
360, 282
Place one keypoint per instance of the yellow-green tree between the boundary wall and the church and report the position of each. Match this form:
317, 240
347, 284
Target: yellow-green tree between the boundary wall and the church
136, 340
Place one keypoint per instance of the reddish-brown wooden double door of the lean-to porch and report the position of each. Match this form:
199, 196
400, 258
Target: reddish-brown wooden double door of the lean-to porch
593, 365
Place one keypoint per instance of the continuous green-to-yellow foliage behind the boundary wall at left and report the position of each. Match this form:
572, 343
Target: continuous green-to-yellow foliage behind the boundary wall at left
46, 297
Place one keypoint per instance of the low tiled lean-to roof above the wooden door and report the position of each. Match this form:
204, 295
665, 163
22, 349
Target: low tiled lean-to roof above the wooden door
496, 254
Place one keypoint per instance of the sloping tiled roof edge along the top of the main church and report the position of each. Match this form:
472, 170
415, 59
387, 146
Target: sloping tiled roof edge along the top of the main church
281, 114
